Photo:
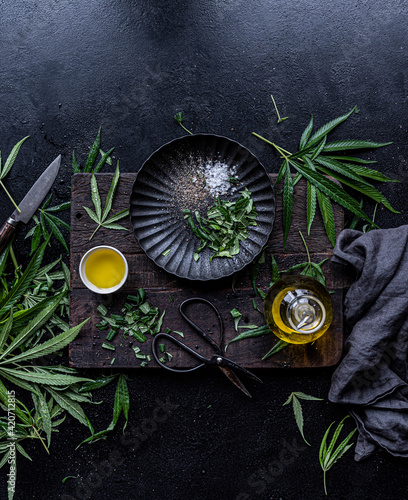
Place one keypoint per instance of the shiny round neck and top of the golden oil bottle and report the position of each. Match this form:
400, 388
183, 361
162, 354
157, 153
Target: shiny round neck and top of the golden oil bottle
305, 313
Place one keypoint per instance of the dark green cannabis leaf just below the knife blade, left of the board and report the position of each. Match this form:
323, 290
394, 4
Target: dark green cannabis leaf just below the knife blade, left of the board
48, 222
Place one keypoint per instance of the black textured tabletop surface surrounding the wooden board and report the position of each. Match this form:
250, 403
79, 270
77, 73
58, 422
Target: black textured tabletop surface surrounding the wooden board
68, 66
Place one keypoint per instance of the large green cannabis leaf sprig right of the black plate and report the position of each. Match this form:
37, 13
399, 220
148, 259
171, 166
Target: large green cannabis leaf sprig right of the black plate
315, 162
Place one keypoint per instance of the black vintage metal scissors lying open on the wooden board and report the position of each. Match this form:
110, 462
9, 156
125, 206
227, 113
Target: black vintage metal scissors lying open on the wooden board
226, 365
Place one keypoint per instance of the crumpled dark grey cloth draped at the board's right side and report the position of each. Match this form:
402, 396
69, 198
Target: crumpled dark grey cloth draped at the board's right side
372, 377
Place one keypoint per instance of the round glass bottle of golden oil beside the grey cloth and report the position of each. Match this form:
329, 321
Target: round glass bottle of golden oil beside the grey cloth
298, 309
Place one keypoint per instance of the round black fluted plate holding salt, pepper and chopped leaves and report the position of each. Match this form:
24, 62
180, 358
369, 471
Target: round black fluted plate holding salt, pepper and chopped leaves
180, 175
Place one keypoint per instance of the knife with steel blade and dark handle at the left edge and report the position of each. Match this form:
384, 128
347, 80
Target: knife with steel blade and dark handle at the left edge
30, 202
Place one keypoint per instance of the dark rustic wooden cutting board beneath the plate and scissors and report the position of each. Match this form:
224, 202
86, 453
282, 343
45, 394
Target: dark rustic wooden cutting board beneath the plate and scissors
167, 292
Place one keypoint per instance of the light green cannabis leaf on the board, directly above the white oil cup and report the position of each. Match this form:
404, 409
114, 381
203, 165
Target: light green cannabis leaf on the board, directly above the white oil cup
99, 217
